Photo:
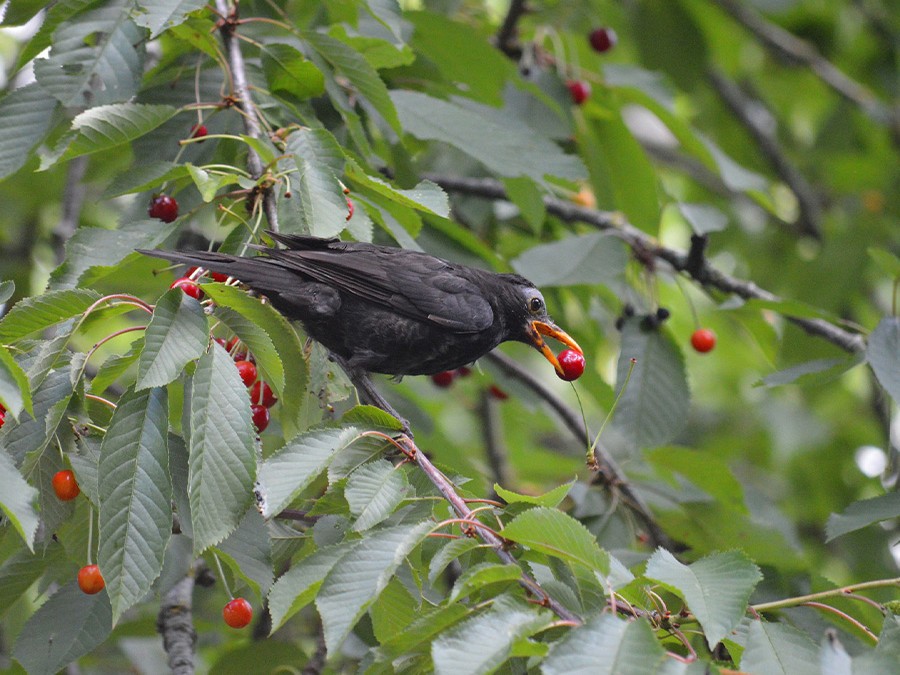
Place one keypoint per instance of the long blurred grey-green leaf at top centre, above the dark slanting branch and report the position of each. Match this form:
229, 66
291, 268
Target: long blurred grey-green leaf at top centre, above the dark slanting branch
507, 148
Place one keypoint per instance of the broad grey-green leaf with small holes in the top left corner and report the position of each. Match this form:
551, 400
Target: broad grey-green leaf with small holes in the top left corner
97, 46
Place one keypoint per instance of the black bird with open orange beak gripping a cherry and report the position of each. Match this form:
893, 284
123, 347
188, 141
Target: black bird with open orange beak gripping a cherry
388, 310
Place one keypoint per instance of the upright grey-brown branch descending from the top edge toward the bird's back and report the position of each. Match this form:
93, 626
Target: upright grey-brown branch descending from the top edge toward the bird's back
252, 126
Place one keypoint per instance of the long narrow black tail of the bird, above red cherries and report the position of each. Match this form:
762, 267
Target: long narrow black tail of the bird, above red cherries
262, 273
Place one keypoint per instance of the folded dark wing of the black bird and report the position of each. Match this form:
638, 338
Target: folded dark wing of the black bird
415, 285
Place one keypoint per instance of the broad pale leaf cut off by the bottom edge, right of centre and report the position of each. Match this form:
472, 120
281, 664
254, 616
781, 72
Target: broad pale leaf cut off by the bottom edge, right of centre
606, 645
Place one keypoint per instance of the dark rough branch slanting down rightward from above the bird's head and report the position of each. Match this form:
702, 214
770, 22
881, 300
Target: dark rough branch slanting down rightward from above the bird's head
639, 241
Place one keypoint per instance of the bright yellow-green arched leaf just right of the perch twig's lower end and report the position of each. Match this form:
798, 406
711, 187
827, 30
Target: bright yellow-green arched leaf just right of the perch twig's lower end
556, 534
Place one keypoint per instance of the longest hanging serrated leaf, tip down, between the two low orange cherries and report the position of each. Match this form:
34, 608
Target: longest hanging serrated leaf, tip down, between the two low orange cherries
135, 497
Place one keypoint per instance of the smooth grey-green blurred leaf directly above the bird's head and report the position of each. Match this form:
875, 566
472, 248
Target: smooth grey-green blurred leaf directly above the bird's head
596, 258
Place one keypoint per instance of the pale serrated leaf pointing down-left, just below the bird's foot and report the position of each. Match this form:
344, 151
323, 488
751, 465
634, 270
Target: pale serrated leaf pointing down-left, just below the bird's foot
284, 475
